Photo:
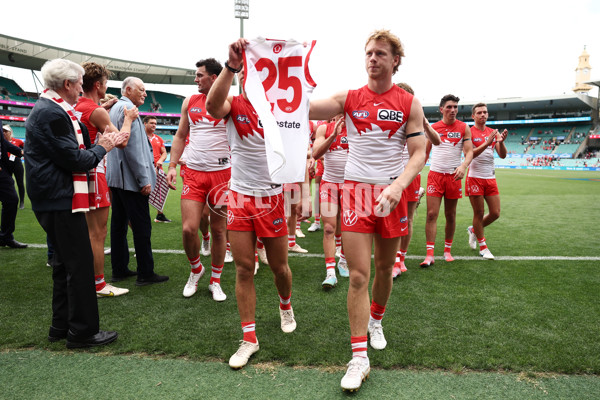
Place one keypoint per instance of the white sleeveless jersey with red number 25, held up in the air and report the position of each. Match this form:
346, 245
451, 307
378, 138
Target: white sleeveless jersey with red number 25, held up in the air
278, 84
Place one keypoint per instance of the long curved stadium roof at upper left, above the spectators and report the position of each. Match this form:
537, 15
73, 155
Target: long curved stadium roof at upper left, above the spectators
25, 54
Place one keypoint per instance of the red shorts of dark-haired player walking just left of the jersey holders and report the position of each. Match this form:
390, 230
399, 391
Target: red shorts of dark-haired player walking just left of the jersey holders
200, 185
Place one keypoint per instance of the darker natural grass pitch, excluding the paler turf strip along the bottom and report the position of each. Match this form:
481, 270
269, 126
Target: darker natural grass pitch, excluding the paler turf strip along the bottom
524, 316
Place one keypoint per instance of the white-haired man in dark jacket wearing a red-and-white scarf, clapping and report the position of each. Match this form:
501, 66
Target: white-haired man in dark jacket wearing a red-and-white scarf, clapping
59, 156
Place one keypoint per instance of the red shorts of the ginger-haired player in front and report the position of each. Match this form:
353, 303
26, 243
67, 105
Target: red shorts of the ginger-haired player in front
359, 215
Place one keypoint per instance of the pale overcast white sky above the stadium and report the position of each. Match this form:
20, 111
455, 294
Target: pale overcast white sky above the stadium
478, 50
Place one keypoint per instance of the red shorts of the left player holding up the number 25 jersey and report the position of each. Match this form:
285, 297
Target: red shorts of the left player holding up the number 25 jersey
263, 215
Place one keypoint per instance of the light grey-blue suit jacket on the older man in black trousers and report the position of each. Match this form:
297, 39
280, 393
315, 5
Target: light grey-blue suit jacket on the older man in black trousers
130, 168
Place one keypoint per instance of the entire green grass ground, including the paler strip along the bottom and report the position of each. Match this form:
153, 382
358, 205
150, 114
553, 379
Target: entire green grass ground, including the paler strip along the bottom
531, 316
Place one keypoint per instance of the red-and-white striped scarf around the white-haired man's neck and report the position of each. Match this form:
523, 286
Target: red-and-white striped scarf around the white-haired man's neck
83, 188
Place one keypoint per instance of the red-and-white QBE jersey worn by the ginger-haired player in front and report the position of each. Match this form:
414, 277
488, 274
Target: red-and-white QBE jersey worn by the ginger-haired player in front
376, 125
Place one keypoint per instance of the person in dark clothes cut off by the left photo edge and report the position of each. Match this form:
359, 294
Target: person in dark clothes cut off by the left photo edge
8, 195
